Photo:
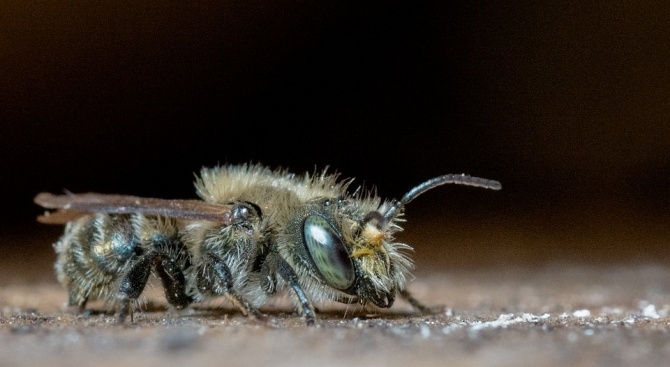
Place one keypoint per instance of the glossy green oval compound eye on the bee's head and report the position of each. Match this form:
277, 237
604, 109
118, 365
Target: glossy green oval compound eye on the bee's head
328, 253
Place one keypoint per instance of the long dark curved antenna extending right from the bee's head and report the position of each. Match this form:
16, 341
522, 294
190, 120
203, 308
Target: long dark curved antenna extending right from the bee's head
461, 179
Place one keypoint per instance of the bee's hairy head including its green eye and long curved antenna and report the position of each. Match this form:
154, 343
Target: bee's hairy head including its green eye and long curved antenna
359, 258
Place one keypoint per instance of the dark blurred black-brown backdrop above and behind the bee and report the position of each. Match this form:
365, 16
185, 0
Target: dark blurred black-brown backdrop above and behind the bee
566, 104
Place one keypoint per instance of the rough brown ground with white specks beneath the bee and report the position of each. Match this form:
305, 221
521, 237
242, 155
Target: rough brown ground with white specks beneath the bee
509, 313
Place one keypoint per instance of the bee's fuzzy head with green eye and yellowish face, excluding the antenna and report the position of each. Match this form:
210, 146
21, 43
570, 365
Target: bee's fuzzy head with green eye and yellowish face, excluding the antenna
340, 252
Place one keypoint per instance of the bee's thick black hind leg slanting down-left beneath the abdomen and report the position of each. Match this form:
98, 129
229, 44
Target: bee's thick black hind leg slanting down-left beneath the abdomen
132, 285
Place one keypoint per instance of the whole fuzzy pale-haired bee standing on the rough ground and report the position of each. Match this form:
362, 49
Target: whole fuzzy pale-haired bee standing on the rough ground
256, 232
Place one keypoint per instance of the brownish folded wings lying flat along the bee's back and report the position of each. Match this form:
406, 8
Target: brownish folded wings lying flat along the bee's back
71, 206
